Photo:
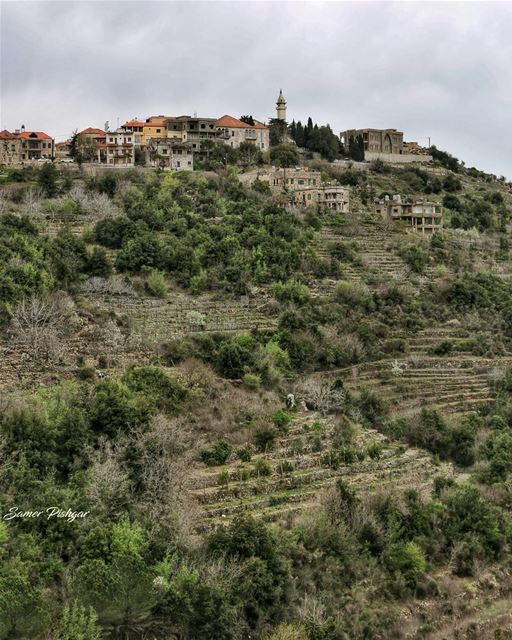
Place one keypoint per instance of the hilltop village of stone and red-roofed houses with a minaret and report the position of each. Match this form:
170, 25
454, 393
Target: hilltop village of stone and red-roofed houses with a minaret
183, 143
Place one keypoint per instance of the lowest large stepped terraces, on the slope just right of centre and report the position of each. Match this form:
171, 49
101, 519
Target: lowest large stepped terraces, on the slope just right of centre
300, 467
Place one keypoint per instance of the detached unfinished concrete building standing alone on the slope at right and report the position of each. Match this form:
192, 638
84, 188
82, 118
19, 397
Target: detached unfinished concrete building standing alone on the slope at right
422, 216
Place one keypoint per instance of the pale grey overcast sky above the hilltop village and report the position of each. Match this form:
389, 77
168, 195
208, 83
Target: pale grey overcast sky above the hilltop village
437, 70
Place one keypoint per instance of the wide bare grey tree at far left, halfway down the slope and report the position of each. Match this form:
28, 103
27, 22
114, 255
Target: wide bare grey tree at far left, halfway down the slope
39, 324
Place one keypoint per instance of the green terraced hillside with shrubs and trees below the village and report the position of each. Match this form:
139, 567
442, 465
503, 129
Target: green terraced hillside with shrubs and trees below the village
283, 424
